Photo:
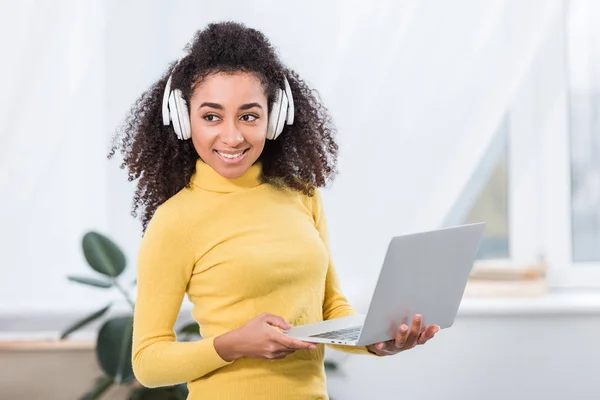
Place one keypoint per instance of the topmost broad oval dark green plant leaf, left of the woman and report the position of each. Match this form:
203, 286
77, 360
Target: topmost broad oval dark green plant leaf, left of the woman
103, 255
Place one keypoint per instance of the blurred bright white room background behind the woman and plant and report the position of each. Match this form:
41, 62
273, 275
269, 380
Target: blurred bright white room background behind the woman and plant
448, 112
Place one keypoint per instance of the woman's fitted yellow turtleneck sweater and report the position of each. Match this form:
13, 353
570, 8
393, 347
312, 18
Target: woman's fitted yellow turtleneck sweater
238, 248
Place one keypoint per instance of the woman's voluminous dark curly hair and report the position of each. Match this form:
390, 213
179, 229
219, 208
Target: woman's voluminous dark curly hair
302, 158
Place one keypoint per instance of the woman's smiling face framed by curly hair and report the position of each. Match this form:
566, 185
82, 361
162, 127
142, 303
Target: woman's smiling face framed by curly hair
229, 119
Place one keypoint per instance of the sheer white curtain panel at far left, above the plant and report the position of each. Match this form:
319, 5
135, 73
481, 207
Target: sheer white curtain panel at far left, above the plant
51, 149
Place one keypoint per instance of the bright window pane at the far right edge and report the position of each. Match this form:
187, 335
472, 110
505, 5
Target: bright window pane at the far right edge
583, 69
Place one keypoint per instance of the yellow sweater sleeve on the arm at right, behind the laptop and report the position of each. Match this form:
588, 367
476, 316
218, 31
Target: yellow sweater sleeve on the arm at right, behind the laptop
335, 304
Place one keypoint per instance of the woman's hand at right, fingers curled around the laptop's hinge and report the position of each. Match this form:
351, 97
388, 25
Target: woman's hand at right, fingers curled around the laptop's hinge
405, 339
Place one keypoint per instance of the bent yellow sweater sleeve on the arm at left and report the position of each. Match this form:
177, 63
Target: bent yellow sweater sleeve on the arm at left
165, 263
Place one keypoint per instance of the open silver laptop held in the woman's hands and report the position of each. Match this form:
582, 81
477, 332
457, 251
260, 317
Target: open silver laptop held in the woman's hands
423, 273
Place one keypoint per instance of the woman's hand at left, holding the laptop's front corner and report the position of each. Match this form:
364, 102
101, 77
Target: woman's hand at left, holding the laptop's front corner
259, 339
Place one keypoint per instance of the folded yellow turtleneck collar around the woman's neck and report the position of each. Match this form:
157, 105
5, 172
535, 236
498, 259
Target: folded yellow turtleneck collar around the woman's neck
209, 179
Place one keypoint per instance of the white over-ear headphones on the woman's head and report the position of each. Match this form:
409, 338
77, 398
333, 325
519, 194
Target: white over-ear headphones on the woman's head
175, 110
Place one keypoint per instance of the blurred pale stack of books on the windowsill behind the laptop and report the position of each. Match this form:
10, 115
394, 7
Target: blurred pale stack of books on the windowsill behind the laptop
499, 278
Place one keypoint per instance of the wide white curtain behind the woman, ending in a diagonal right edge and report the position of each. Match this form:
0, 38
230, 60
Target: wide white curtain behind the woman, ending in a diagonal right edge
416, 87
